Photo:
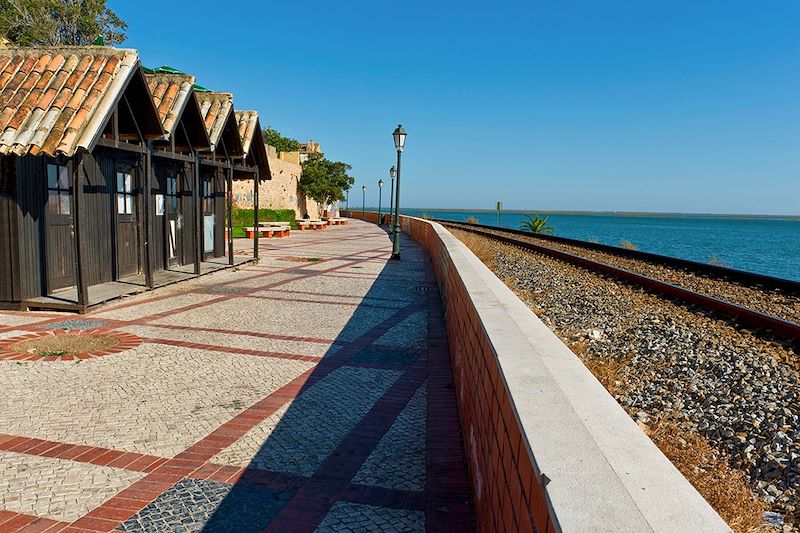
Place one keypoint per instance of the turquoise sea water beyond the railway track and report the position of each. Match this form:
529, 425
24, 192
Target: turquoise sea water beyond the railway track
766, 245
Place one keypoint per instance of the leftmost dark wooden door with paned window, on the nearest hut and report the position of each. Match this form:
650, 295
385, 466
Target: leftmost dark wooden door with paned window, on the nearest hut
59, 241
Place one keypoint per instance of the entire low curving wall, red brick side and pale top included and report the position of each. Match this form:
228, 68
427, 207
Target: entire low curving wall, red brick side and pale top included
548, 448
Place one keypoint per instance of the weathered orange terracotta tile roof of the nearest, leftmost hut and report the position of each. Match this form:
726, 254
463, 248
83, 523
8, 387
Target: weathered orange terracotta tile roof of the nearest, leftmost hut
57, 100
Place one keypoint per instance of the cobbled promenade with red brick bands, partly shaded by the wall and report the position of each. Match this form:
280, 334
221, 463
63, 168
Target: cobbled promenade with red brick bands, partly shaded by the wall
310, 392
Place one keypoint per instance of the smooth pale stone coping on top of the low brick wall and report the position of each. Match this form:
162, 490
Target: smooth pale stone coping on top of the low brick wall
604, 473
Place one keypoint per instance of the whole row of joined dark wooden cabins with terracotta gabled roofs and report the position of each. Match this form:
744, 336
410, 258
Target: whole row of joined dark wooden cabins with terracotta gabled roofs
112, 177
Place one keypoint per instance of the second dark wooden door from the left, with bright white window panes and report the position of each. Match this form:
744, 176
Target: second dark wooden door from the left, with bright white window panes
127, 238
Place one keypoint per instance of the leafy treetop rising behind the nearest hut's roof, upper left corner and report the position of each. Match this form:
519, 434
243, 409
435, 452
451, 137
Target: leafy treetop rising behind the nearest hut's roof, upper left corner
59, 22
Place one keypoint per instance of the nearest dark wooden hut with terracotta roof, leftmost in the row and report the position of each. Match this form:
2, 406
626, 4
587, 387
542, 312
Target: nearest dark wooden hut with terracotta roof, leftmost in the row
74, 127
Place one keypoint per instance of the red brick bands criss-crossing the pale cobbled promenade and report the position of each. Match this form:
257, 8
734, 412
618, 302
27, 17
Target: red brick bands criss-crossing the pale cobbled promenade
446, 498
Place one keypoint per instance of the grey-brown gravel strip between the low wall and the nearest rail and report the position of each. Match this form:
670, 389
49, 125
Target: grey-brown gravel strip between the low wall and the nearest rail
738, 390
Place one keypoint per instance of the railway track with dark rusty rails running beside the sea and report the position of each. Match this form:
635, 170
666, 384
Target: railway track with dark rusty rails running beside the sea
589, 255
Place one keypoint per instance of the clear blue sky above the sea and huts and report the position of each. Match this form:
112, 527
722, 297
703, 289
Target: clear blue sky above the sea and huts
595, 105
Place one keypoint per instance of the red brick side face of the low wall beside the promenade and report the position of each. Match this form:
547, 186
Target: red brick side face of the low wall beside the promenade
506, 490
